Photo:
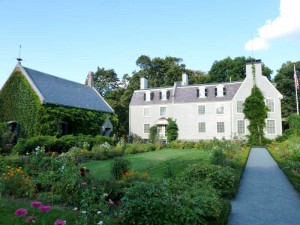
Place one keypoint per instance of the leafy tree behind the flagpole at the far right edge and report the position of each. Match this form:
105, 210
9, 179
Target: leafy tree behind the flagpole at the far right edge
286, 86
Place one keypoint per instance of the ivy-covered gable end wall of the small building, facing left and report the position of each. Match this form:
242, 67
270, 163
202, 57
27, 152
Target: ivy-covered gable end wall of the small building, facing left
20, 103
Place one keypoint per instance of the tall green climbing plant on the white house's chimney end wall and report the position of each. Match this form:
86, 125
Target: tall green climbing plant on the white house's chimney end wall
256, 112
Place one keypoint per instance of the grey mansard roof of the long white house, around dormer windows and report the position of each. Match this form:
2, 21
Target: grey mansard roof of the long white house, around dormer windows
186, 94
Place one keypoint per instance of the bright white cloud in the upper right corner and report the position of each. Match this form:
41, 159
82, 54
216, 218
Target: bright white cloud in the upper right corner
287, 24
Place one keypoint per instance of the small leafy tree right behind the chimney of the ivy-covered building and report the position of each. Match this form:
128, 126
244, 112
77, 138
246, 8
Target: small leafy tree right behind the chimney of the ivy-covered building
105, 81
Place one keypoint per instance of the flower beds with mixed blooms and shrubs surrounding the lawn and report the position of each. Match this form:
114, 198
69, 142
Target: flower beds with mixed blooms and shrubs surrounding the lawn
197, 196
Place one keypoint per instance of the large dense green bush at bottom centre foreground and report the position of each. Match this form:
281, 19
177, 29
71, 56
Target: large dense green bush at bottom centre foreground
173, 202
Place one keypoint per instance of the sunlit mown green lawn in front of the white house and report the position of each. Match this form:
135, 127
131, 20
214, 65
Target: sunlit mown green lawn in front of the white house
154, 163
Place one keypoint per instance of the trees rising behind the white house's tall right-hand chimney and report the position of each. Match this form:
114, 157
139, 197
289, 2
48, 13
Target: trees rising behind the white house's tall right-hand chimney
232, 69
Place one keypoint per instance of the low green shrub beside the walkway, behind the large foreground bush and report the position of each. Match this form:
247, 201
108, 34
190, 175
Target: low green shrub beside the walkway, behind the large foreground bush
221, 178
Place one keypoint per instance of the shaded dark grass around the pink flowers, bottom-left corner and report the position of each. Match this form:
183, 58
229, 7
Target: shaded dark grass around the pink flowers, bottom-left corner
9, 206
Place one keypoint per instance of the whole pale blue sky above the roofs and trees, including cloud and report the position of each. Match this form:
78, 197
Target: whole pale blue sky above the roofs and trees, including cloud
70, 38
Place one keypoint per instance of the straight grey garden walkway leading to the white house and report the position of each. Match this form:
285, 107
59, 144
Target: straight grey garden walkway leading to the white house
265, 196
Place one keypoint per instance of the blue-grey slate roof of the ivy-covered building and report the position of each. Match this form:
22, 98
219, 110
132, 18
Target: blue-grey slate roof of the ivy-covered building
58, 91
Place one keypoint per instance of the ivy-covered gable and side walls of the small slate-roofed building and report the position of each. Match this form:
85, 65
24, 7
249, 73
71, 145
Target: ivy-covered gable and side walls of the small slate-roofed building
18, 102
